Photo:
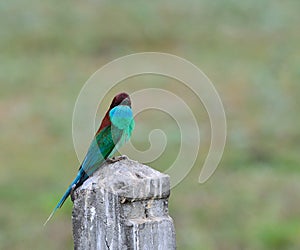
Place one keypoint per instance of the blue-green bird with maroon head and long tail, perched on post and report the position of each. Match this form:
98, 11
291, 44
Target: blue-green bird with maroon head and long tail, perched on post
114, 131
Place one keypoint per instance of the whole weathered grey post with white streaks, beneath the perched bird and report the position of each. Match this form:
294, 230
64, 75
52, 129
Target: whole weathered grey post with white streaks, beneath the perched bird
124, 205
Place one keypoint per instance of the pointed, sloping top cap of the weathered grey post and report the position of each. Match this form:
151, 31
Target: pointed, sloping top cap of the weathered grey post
130, 180
